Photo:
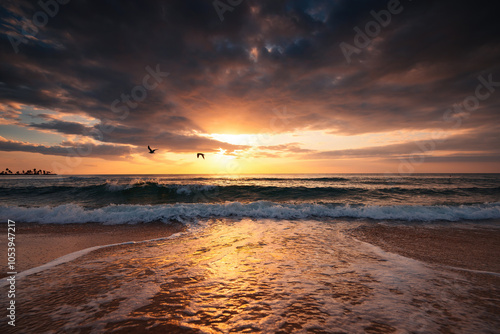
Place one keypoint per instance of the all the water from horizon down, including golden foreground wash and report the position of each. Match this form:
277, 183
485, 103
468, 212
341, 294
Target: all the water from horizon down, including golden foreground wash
257, 254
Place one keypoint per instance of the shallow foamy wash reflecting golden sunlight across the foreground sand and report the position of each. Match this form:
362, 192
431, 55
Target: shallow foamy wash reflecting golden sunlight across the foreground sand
264, 276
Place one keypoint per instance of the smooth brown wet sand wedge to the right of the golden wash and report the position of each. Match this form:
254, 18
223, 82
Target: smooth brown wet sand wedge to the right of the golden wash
472, 249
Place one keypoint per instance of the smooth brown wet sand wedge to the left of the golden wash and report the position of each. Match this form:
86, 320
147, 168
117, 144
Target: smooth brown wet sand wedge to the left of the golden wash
37, 244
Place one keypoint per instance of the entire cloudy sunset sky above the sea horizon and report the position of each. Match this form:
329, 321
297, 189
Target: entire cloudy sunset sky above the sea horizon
339, 86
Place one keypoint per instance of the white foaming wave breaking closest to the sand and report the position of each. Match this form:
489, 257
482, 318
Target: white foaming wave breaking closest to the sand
126, 214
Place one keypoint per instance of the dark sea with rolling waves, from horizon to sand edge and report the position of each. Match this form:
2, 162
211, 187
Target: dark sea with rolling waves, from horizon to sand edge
139, 198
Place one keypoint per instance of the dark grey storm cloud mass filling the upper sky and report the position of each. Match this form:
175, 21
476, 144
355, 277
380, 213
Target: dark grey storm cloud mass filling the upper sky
264, 53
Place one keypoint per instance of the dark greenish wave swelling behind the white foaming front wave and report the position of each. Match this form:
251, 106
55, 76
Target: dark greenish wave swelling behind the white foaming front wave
154, 191
